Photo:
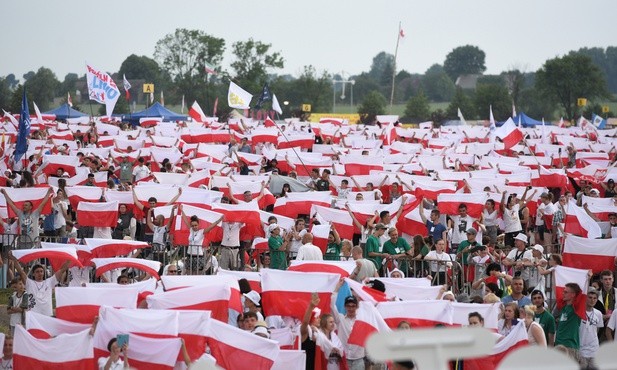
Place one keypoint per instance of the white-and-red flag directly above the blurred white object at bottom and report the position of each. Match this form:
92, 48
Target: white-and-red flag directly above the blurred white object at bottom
425, 314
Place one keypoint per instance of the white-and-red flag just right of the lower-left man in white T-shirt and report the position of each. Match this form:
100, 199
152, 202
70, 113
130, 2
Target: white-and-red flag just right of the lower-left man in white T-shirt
81, 304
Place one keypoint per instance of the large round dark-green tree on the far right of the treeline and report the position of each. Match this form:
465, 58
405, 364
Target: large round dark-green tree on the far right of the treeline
566, 79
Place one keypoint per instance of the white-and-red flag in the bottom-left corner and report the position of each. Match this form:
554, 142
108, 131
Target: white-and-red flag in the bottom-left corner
66, 351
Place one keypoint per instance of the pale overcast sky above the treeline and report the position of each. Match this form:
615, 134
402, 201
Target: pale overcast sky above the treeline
331, 35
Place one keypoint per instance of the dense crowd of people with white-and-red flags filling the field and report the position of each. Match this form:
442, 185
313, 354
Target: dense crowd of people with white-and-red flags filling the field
386, 186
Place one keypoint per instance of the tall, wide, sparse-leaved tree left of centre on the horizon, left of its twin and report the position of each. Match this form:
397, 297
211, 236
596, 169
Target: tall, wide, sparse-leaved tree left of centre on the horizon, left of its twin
184, 53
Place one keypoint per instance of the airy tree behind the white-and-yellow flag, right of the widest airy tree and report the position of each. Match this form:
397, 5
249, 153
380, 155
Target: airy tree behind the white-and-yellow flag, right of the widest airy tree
253, 62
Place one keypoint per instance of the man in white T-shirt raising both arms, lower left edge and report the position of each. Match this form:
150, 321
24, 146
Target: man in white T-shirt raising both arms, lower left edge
39, 287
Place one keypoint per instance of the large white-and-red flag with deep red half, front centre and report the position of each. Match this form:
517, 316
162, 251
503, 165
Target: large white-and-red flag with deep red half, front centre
288, 293
